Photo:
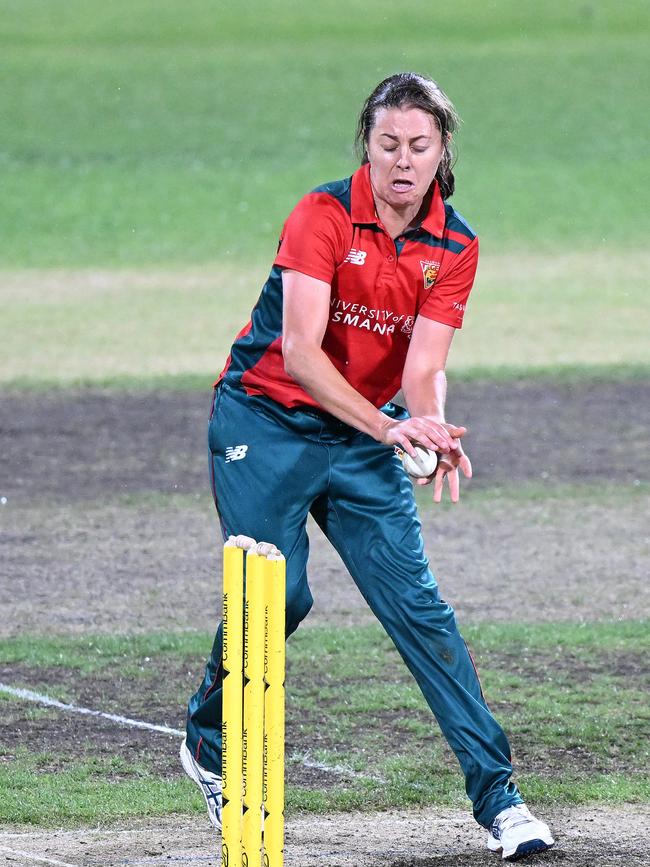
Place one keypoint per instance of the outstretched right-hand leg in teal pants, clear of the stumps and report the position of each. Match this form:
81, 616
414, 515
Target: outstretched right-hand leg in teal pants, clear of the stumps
370, 517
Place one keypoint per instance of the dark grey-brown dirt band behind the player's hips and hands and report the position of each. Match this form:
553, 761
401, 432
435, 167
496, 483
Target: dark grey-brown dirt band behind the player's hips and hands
67, 446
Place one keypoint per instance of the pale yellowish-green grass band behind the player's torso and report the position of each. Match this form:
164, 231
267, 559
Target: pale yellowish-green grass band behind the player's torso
145, 328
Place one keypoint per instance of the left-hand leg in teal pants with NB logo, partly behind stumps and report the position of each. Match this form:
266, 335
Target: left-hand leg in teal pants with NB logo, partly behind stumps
262, 495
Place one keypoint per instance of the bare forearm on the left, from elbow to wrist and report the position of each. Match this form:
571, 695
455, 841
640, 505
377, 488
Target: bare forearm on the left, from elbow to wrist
314, 371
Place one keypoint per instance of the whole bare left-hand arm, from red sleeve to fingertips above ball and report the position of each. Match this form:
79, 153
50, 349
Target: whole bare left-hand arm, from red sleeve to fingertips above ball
305, 361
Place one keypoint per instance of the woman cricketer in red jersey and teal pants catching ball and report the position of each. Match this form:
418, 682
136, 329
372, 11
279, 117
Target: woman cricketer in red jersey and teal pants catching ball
368, 286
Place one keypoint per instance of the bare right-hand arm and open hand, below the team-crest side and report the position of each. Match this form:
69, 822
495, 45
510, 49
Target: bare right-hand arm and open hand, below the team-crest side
424, 385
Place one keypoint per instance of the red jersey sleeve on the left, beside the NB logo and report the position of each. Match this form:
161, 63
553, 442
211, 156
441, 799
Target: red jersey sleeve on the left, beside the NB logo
313, 239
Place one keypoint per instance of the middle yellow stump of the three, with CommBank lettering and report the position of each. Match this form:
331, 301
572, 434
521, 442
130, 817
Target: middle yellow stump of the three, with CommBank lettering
253, 751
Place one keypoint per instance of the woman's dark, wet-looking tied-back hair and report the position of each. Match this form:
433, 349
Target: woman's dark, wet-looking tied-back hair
408, 89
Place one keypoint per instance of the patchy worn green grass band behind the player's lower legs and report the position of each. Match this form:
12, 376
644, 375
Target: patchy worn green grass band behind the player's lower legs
572, 698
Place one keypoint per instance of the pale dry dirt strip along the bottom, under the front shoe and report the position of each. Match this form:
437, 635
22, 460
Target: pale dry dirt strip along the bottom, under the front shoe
589, 837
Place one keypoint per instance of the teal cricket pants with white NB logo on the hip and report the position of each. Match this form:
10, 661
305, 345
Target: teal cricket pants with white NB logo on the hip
270, 468
